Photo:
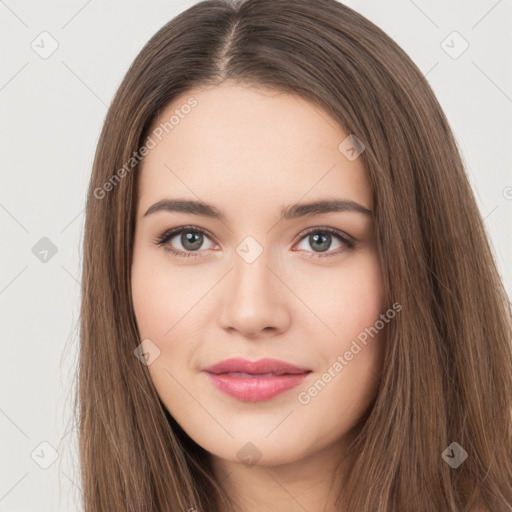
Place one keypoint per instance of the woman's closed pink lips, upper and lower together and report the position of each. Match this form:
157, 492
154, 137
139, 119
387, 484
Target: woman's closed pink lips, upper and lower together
225, 376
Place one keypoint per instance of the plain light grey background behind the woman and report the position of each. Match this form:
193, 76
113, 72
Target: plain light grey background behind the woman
51, 114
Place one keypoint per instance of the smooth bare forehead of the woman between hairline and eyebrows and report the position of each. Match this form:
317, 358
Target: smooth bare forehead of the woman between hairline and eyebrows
248, 146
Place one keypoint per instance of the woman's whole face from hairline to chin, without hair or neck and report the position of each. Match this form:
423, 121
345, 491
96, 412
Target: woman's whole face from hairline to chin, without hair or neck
257, 274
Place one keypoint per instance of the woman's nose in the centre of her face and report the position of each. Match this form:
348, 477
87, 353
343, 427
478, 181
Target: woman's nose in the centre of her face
255, 301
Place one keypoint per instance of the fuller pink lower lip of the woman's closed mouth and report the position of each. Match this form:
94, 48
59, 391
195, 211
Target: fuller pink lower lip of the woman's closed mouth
255, 389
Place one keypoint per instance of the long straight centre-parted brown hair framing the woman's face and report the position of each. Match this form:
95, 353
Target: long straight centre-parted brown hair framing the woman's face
447, 374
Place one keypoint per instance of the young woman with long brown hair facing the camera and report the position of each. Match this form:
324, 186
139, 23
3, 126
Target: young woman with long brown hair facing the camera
289, 300
